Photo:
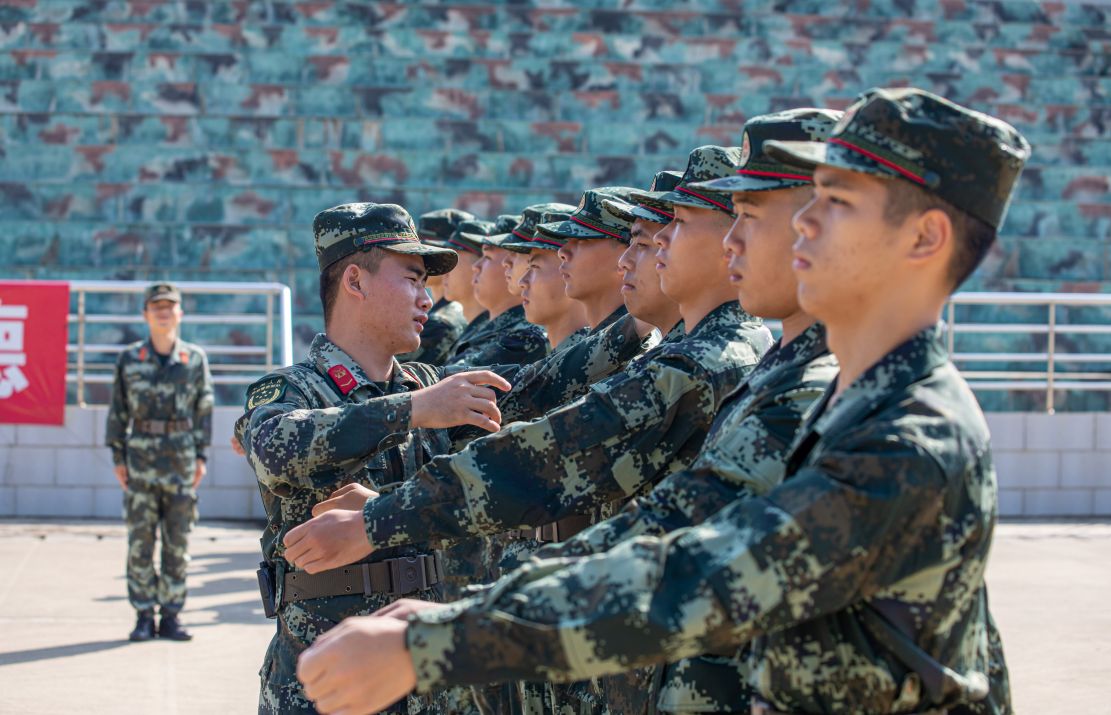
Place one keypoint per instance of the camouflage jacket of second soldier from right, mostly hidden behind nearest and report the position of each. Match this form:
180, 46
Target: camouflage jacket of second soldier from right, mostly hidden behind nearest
745, 455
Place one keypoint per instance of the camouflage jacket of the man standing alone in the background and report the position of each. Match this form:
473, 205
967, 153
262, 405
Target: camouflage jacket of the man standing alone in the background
146, 390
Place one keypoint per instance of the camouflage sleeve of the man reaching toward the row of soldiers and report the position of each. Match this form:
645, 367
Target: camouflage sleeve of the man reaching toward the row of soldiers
292, 445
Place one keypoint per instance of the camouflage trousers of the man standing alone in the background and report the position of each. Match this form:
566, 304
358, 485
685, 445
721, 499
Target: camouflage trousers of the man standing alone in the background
149, 507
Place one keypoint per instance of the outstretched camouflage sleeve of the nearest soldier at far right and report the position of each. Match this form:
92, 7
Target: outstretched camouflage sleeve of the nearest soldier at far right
760, 565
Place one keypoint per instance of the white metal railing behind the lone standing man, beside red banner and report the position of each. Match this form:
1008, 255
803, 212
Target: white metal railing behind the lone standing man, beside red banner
83, 372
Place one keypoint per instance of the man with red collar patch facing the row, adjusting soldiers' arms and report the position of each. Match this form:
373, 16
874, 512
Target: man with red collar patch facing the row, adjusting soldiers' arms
351, 414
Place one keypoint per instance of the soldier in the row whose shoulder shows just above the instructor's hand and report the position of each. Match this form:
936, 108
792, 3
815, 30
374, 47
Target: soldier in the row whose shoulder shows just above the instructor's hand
506, 338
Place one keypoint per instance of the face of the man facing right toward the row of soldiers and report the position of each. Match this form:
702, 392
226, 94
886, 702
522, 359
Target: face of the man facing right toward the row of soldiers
395, 304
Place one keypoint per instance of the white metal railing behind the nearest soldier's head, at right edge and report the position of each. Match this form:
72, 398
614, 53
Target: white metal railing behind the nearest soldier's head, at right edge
1052, 379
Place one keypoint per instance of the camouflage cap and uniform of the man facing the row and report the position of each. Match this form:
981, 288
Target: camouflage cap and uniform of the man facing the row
315, 427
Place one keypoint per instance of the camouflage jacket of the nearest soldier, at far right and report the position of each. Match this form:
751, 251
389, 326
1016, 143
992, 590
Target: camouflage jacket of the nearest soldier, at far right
859, 580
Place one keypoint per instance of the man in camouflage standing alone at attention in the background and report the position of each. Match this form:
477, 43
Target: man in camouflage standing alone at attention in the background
159, 426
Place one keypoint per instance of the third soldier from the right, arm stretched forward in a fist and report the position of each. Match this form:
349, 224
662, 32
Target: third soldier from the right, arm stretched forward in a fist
626, 434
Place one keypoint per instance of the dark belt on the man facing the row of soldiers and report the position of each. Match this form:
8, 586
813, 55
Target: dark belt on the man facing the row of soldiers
395, 577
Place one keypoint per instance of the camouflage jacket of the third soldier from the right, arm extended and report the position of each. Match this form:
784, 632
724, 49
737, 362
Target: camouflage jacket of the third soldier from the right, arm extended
627, 432
